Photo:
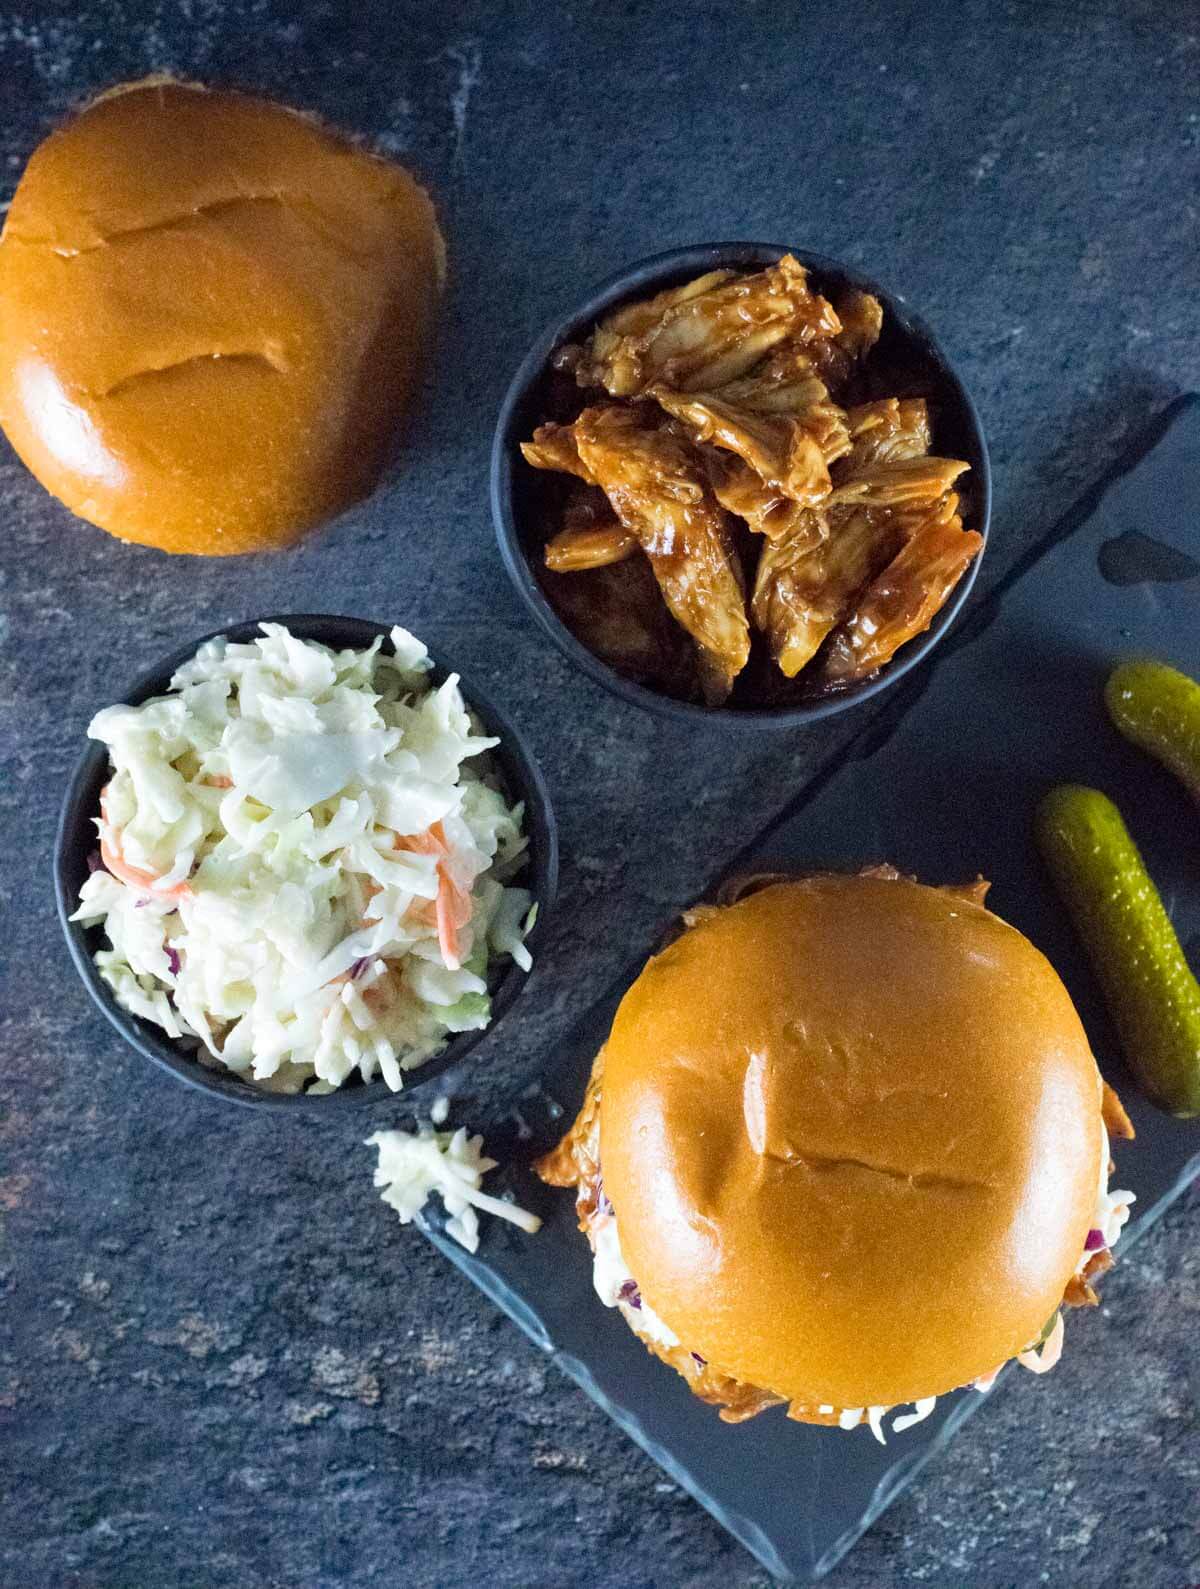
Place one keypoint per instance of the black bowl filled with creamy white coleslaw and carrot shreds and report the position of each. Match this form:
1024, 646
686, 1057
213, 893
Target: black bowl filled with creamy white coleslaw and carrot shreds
303, 865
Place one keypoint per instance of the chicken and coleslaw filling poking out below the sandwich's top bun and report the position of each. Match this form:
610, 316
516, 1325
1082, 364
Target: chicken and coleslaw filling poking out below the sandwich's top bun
576, 1164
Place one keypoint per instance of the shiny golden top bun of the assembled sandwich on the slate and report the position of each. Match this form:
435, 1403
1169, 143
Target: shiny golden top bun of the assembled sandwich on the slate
851, 1132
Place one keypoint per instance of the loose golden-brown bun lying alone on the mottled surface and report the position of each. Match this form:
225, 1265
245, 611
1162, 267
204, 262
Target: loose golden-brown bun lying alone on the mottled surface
212, 315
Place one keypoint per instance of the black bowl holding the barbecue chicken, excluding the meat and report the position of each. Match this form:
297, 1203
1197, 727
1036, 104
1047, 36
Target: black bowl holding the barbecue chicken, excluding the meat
519, 493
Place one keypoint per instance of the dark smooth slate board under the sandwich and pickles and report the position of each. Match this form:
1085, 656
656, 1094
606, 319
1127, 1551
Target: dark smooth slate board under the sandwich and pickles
943, 786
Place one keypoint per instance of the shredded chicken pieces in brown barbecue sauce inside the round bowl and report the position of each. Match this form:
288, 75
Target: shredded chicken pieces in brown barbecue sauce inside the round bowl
776, 512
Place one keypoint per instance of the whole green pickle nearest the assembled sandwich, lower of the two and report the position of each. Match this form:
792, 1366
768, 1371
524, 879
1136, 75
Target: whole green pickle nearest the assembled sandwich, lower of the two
1152, 994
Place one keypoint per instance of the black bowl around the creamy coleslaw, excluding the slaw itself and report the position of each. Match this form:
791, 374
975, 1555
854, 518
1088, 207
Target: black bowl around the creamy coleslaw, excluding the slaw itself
77, 841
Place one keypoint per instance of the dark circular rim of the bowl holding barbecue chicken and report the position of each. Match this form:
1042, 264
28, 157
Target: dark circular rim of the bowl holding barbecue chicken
645, 276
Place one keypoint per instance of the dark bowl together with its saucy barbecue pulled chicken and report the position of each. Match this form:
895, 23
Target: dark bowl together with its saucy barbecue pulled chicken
741, 482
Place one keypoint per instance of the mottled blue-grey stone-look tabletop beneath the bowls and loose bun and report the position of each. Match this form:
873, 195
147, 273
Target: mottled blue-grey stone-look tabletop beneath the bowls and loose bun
223, 1364
